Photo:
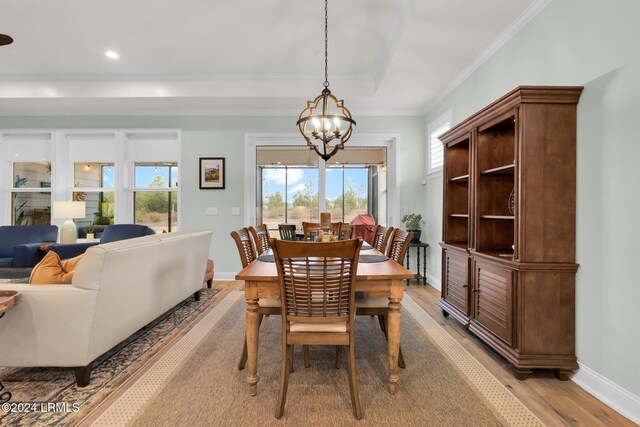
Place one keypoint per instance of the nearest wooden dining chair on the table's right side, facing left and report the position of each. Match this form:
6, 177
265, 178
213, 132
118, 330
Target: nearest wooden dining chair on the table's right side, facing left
379, 306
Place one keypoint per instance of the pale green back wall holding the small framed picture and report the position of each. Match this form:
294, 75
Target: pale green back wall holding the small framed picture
224, 137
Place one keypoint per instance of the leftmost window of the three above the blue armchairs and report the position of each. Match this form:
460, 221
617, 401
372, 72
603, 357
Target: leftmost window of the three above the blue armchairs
31, 193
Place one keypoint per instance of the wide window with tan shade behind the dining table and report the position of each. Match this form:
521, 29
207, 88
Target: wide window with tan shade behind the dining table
294, 185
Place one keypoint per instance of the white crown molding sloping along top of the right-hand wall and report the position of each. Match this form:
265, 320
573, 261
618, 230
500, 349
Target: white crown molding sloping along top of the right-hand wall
514, 28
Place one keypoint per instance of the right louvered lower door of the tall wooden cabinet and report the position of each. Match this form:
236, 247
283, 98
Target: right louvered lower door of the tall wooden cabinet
493, 299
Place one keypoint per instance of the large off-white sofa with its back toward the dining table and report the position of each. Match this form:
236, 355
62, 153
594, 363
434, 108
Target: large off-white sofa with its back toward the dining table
117, 289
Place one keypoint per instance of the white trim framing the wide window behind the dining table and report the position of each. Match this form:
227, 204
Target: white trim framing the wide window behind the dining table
253, 140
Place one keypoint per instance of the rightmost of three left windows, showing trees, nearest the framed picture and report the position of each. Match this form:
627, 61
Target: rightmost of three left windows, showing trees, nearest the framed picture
155, 196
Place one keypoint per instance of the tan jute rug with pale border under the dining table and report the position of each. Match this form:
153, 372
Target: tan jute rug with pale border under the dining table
209, 390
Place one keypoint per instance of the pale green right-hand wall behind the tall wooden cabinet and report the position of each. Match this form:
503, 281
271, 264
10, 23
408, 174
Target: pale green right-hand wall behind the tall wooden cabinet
594, 44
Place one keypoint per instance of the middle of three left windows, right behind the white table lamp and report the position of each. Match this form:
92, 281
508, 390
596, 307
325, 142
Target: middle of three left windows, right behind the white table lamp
94, 184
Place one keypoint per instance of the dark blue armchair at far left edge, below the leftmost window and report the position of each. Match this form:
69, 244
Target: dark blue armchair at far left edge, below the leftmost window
19, 244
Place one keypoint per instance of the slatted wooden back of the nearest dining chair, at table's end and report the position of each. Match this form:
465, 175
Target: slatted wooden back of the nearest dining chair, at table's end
317, 281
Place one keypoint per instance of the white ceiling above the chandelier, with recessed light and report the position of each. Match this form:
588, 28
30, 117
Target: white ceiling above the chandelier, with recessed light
240, 56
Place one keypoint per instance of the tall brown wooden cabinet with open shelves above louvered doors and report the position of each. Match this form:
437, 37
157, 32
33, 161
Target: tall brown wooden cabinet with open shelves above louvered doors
509, 226
